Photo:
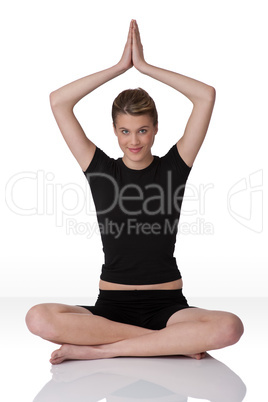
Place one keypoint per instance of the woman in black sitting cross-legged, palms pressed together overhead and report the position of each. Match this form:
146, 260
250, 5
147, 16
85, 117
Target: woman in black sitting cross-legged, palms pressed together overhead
141, 310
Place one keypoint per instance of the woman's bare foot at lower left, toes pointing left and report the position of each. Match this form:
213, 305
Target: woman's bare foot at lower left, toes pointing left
77, 352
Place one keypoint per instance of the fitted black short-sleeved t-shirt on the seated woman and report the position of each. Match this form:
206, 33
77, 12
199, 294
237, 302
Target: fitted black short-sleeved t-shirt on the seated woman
138, 213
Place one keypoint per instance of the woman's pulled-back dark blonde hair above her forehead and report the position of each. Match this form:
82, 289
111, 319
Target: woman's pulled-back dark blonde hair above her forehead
135, 102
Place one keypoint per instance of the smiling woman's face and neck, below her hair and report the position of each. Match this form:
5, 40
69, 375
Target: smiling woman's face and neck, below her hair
135, 136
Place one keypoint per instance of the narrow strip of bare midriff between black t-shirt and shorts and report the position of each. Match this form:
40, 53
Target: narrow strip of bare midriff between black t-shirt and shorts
159, 286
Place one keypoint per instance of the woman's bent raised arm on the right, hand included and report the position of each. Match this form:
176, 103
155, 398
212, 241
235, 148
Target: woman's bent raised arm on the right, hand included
201, 95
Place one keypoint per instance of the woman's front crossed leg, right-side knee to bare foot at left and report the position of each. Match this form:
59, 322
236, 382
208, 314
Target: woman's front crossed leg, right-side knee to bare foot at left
188, 332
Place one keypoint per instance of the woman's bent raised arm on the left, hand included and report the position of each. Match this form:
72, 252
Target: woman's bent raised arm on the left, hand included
64, 99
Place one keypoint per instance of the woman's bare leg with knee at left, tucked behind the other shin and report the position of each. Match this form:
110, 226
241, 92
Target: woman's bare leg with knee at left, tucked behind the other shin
63, 324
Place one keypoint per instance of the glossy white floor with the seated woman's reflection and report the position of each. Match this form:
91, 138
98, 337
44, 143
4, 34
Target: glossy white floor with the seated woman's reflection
234, 374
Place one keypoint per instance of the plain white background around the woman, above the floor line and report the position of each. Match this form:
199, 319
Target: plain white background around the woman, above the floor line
46, 45
